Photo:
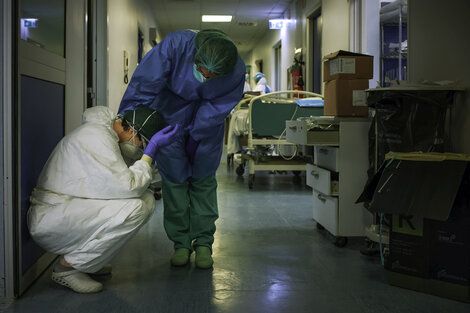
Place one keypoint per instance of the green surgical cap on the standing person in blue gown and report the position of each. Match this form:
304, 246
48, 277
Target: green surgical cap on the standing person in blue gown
215, 52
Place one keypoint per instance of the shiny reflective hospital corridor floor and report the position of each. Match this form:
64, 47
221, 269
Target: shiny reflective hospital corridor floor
268, 255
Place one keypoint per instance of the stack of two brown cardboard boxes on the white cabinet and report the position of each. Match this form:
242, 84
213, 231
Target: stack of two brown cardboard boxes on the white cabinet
346, 76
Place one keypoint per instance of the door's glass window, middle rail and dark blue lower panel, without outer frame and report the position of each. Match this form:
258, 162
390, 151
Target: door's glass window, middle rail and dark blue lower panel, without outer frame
41, 106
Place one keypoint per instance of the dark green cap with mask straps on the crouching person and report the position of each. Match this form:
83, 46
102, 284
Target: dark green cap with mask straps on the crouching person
145, 121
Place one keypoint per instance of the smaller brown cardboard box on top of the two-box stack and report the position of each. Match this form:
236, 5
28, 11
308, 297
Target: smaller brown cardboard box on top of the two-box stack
347, 65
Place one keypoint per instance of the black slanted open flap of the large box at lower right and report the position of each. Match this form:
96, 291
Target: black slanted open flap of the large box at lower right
424, 188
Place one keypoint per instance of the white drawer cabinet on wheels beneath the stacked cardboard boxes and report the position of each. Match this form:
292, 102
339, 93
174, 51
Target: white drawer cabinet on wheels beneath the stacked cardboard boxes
338, 175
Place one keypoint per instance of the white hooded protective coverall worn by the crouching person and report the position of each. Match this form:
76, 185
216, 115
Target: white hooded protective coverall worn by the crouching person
88, 203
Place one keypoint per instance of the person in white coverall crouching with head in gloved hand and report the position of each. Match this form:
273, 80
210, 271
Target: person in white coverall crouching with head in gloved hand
88, 202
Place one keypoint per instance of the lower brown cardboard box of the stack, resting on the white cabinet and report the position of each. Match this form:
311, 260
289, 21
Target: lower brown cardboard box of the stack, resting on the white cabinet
341, 97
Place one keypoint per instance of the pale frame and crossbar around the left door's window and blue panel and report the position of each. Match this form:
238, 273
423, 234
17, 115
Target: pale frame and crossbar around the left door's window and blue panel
26, 59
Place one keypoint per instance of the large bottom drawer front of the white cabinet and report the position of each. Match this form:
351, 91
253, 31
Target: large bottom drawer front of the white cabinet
325, 211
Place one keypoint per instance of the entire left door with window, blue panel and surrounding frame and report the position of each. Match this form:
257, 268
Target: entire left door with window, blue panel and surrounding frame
47, 84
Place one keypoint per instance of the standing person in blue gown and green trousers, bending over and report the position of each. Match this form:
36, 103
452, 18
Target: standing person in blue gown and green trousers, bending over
193, 79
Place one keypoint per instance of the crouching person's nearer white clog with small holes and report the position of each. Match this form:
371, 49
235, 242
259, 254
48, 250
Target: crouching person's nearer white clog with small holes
77, 281
